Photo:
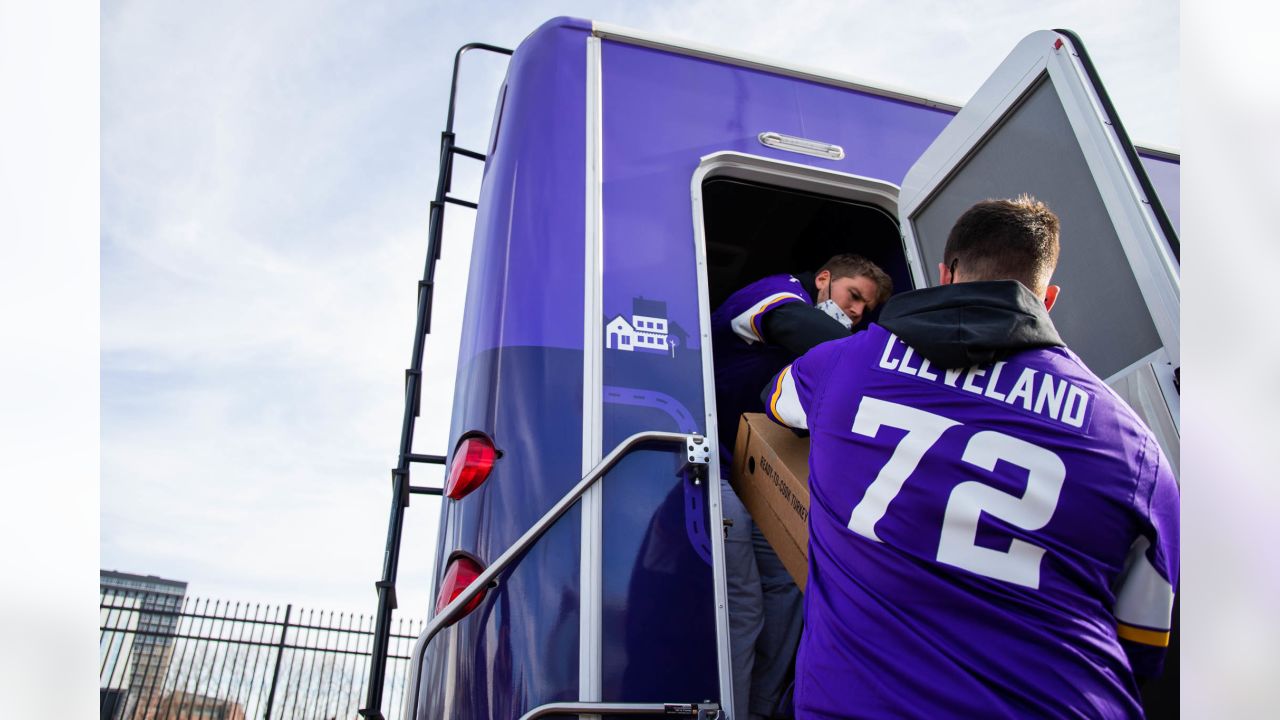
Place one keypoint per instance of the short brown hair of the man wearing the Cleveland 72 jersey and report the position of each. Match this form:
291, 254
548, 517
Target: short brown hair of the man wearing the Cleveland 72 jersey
999, 240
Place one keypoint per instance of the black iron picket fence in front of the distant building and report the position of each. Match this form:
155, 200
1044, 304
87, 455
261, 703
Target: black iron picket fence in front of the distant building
220, 660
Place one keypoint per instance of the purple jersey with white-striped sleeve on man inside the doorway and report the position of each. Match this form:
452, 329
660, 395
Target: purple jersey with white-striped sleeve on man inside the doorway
744, 362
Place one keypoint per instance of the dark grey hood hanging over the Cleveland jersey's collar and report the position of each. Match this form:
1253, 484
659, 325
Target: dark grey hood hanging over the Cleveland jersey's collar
972, 323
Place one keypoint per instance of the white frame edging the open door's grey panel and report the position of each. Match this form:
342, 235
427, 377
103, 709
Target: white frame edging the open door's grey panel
1144, 244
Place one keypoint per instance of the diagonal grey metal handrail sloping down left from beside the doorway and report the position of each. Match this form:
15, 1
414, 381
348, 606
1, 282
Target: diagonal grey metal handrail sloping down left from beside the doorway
698, 455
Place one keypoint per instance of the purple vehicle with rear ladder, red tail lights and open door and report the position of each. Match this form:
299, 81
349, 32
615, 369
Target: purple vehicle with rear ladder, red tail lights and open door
632, 183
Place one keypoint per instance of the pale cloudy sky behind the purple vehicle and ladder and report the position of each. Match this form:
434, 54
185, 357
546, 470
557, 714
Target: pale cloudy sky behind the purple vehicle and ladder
266, 177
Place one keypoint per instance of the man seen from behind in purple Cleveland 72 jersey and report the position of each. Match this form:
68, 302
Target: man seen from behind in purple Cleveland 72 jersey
993, 532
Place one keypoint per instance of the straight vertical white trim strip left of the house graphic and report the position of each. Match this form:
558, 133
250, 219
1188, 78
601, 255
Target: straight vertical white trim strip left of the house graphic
592, 569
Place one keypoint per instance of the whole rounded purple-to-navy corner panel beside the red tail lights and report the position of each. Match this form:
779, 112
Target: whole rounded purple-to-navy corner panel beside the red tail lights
520, 381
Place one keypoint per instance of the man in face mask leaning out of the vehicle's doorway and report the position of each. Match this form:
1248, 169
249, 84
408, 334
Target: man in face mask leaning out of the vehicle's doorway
755, 332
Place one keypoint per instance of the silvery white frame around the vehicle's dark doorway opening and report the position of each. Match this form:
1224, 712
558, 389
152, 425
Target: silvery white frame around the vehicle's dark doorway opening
778, 174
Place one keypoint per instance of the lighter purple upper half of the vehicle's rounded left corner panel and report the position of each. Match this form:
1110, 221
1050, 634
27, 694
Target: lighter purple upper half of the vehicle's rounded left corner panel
527, 268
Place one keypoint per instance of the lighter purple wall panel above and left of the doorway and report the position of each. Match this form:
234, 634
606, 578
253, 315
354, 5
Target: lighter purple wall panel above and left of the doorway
665, 112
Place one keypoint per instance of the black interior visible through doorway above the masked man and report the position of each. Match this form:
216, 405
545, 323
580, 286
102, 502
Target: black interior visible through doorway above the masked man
755, 231
